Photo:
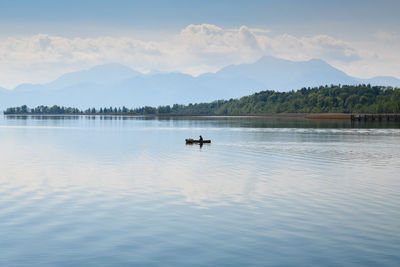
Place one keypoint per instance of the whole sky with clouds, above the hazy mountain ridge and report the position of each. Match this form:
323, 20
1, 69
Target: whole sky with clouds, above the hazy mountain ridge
42, 39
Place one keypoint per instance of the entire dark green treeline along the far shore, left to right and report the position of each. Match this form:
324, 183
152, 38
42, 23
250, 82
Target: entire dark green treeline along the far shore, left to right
323, 99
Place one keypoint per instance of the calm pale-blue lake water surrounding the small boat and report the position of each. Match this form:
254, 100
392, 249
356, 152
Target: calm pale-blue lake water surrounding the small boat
122, 191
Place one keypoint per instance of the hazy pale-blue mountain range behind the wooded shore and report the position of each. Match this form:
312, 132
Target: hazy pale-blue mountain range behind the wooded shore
117, 85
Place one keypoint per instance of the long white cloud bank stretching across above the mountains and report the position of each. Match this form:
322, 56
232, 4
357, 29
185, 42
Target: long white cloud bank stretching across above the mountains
195, 49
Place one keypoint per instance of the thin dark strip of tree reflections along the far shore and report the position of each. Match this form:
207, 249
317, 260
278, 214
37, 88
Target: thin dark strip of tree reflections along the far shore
221, 121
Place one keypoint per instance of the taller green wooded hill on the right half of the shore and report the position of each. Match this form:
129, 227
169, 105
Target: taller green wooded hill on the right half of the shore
324, 99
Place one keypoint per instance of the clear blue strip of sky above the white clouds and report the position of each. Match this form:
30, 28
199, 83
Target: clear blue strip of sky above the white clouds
71, 18
